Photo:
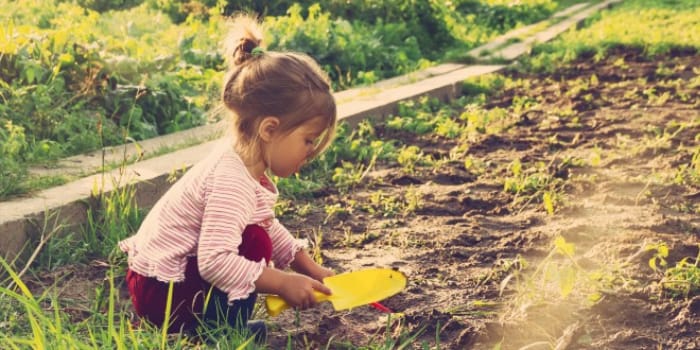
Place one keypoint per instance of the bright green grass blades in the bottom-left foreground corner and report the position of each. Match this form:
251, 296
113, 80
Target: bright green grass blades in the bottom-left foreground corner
42, 321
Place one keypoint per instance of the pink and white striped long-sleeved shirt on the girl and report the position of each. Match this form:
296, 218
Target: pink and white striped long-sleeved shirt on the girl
204, 215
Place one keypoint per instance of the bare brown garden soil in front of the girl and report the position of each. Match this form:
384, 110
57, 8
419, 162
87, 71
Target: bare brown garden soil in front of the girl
470, 249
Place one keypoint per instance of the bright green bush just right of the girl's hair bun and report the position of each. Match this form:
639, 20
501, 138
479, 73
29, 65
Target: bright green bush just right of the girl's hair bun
351, 53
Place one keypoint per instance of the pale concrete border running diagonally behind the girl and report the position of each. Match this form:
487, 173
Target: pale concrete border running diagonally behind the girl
24, 220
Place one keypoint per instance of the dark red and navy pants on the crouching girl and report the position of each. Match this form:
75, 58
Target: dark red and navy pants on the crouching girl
149, 296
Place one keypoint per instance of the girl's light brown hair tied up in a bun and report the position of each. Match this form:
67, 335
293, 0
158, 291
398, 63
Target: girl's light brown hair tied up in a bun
290, 86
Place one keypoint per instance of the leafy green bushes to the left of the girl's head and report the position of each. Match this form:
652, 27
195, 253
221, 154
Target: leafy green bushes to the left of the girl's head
75, 81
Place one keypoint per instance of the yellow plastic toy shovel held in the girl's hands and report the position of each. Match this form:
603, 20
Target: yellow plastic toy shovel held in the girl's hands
351, 289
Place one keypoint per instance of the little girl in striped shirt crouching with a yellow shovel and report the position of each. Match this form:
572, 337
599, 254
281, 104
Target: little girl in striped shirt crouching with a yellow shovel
214, 234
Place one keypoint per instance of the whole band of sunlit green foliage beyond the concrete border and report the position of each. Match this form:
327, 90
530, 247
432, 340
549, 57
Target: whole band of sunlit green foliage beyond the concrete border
83, 74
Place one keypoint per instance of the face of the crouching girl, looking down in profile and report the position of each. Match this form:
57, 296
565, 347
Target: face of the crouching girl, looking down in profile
288, 152
